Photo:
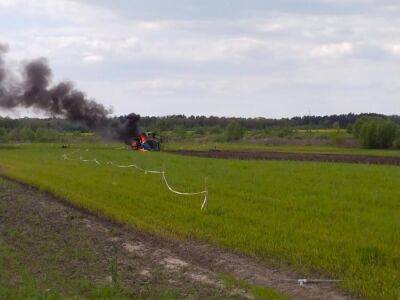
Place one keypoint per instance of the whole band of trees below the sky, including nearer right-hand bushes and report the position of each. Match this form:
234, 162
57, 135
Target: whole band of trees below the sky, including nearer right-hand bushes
372, 130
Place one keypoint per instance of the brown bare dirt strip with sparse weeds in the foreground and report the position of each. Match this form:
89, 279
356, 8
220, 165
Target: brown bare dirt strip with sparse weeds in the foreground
53, 233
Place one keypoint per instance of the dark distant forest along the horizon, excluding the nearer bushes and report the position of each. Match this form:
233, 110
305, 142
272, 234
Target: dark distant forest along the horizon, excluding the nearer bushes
183, 122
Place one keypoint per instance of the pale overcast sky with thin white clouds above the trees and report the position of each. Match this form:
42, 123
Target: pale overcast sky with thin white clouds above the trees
216, 57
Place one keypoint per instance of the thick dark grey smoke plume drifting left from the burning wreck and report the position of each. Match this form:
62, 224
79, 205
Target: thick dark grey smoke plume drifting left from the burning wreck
34, 90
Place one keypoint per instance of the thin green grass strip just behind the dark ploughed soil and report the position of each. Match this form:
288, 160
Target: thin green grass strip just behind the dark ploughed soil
243, 146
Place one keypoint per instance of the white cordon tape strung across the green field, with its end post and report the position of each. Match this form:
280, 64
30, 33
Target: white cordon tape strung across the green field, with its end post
205, 192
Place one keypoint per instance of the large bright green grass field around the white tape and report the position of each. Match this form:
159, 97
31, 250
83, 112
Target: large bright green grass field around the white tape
340, 221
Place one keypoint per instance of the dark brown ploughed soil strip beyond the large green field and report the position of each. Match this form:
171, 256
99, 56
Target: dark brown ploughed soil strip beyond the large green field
338, 158
